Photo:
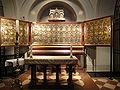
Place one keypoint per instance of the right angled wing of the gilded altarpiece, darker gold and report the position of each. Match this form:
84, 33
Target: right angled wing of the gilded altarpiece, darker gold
98, 31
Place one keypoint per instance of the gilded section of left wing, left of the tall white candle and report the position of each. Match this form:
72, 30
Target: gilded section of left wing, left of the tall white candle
8, 32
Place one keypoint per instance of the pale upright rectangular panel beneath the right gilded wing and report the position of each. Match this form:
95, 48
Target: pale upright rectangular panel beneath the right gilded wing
103, 59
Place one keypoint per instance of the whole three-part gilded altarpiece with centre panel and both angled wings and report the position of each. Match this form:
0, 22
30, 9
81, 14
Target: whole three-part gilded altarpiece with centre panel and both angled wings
92, 32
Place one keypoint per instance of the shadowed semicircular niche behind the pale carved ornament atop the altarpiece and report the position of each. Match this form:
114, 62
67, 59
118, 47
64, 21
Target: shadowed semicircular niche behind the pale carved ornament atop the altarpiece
70, 14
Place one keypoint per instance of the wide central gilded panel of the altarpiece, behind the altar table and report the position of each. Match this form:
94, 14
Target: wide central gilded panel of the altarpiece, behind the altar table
45, 34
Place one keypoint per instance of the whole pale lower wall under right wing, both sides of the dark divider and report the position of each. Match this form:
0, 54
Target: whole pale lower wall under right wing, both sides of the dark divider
102, 61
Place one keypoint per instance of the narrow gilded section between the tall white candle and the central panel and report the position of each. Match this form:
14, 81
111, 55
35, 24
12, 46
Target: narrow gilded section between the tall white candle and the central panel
23, 33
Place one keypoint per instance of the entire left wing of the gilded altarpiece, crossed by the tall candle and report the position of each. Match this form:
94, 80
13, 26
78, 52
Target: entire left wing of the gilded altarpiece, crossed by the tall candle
12, 30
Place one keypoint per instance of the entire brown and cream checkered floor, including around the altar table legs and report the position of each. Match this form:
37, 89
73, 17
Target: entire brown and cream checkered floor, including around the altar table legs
81, 80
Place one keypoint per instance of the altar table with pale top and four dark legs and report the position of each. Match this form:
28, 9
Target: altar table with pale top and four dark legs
50, 60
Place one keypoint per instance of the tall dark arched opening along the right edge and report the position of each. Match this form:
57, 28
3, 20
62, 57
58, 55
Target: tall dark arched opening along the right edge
116, 40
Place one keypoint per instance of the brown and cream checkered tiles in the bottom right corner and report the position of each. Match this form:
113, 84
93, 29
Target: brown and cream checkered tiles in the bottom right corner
107, 84
